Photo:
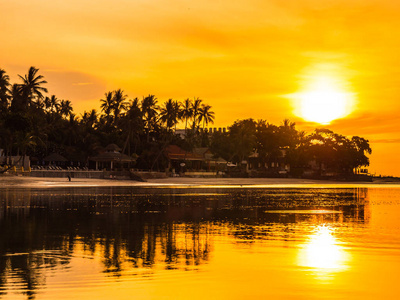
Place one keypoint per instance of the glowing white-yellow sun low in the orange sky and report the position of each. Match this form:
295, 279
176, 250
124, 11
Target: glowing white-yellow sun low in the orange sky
324, 98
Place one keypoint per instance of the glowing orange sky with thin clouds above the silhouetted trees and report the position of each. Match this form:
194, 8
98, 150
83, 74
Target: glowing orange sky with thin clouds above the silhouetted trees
243, 58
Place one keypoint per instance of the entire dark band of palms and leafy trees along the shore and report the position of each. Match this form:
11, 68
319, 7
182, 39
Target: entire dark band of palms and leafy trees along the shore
35, 124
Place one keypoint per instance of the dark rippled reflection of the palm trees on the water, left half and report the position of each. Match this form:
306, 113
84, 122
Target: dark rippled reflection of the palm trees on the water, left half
123, 242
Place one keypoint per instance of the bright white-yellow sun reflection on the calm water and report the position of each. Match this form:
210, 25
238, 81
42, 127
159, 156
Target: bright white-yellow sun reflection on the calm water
323, 253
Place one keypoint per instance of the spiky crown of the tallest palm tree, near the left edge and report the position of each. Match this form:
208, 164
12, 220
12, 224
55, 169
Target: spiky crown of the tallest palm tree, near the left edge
31, 86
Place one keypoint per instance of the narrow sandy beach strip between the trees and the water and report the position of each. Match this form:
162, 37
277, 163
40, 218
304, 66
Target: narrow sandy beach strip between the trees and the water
184, 182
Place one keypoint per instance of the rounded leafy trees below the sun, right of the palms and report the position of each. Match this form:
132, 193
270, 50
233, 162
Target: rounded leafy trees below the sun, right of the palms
285, 145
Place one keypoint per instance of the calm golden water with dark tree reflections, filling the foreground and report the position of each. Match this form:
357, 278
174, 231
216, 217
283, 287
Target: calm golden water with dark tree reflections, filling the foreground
216, 243
